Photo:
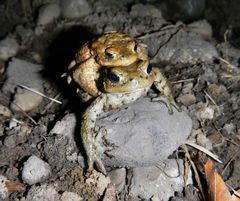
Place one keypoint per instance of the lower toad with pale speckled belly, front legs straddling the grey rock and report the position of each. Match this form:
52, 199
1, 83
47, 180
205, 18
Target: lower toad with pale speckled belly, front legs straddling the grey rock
118, 88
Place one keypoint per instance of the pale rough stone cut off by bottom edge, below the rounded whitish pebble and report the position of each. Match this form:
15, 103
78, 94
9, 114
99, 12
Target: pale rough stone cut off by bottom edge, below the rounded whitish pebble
42, 193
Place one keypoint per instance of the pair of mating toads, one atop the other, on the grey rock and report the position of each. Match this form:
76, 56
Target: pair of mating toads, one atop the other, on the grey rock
113, 71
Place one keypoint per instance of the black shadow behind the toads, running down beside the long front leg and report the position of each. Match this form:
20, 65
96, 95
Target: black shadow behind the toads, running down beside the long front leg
61, 53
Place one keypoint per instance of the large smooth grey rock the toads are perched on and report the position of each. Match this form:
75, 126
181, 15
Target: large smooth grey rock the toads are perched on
141, 135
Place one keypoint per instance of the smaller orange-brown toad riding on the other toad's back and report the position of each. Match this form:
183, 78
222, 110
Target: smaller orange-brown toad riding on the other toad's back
109, 50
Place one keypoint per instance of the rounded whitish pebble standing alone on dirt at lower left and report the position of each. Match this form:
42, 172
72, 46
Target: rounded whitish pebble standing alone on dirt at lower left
35, 170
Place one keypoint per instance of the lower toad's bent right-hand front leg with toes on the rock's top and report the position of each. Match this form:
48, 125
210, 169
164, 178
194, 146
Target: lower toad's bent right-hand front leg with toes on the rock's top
165, 94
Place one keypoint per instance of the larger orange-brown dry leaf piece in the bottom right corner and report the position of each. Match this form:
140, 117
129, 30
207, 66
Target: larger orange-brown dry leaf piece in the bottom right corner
217, 190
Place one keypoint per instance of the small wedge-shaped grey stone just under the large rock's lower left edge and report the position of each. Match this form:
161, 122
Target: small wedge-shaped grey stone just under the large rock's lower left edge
118, 178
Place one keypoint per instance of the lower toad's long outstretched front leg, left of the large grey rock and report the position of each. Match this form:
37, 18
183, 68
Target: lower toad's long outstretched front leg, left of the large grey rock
88, 135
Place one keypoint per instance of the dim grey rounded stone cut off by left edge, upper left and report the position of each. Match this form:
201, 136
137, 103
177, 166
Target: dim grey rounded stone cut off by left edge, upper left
8, 48
